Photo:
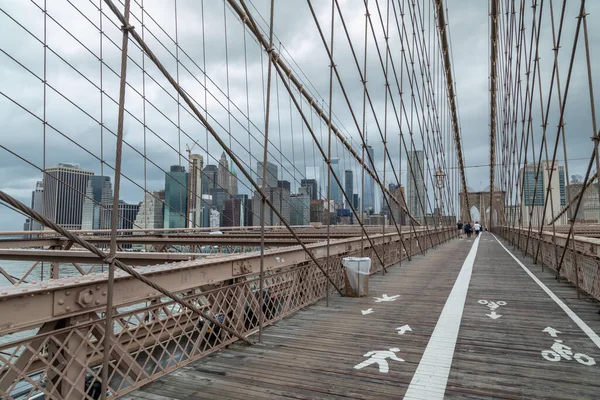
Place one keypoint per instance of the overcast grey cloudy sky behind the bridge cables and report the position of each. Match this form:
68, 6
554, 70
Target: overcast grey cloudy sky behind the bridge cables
217, 59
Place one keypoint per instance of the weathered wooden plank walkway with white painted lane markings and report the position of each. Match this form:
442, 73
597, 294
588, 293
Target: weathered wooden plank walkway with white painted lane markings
313, 354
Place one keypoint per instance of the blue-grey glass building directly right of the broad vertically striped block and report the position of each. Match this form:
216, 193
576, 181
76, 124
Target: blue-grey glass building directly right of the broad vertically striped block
98, 195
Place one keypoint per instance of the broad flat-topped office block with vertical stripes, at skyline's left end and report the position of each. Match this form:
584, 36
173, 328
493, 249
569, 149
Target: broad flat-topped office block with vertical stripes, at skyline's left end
64, 190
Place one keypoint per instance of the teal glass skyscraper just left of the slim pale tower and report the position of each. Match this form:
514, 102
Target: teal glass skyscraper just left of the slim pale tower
176, 197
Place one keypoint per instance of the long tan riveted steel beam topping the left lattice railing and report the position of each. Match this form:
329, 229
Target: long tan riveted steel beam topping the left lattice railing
36, 303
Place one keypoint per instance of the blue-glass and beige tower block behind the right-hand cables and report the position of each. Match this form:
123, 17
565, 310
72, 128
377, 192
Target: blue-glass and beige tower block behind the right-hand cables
534, 193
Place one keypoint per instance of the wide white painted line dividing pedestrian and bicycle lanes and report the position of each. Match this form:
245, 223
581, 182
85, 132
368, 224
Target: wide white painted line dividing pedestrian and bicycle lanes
431, 377
